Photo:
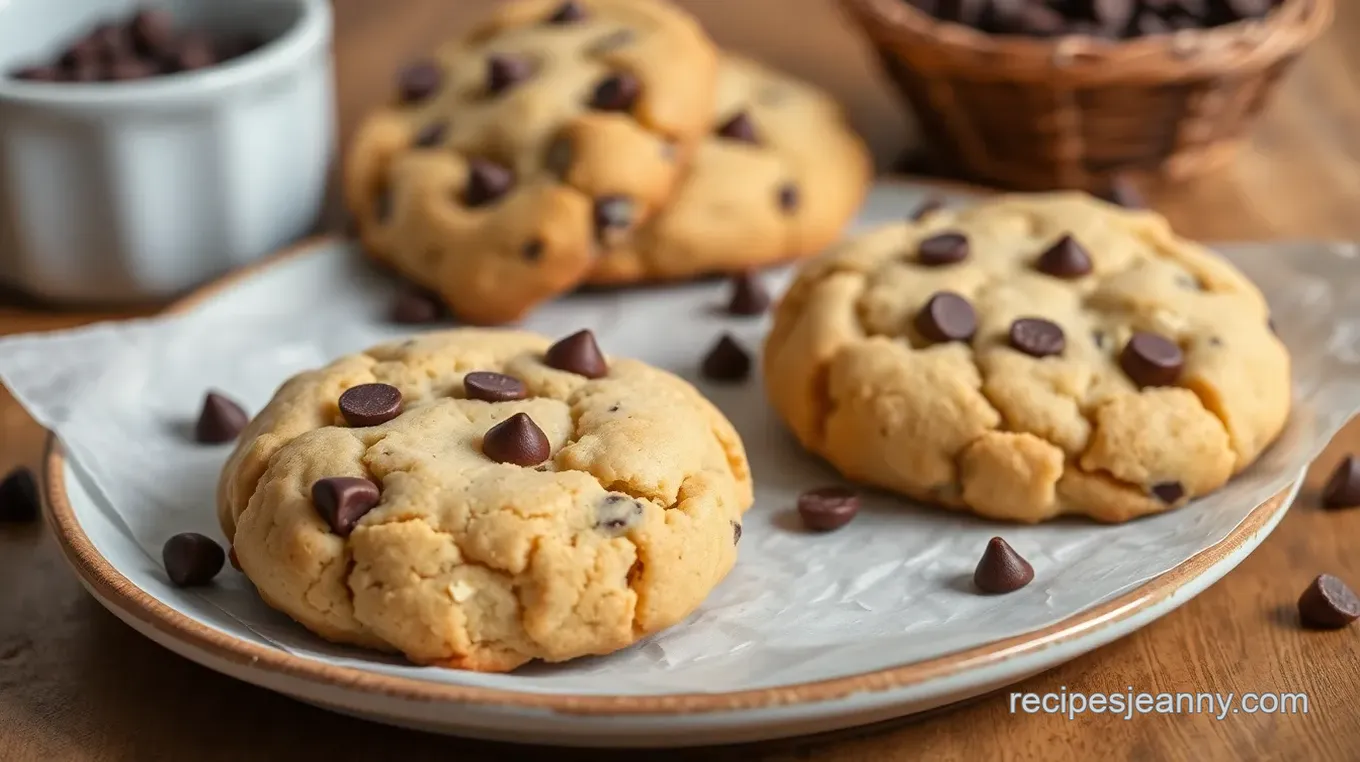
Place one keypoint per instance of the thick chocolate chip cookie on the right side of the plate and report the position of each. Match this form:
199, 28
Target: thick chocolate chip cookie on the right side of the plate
1030, 357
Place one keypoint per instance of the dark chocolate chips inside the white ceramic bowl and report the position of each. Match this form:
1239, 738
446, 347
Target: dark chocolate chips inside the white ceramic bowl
143, 46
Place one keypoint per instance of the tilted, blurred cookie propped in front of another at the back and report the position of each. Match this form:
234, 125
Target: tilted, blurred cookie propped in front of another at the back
513, 154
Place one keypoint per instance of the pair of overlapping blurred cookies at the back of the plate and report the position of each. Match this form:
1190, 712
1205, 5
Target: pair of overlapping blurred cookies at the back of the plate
606, 142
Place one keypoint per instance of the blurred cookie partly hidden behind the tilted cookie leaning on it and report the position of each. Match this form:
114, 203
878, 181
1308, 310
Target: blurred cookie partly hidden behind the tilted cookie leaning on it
779, 179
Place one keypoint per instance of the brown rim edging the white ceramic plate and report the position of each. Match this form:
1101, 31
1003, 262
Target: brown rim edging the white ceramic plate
137, 603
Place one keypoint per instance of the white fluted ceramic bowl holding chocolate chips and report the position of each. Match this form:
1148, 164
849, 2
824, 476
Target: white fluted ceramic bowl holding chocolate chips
133, 193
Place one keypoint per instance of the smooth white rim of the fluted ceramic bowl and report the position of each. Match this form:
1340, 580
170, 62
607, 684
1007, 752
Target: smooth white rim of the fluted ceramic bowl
312, 29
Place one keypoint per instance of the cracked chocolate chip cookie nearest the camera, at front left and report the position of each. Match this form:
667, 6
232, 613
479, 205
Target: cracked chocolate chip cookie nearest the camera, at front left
464, 561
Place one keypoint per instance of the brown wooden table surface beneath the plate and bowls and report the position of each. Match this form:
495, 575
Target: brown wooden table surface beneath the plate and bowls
75, 684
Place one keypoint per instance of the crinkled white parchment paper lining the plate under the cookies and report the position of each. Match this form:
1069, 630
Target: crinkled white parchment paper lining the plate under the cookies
891, 589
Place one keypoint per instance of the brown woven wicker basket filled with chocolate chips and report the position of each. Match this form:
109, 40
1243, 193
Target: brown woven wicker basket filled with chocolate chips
1076, 112
